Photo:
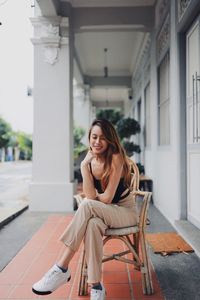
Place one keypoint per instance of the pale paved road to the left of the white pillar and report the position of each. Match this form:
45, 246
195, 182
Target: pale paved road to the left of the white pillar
14, 187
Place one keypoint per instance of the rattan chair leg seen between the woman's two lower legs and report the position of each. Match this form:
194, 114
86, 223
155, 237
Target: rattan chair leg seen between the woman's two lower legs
83, 285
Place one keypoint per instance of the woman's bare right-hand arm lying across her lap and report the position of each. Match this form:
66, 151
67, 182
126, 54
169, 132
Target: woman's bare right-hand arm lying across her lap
116, 173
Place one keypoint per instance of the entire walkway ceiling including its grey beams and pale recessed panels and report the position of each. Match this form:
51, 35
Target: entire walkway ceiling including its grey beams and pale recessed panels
120, 26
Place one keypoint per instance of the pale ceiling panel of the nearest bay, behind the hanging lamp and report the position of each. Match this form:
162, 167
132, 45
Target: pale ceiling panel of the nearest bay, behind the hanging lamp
122, 50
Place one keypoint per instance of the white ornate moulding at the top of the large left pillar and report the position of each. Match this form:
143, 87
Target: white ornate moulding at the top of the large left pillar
51, 33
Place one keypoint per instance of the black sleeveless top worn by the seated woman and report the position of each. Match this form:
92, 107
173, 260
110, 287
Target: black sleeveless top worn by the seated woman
119, 191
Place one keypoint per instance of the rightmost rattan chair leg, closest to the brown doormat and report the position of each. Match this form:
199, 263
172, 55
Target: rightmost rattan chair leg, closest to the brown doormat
145, 269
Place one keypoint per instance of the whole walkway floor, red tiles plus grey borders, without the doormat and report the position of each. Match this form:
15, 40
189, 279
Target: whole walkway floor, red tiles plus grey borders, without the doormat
175, 277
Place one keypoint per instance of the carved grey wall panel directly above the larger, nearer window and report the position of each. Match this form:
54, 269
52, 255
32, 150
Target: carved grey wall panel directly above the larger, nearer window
162, 42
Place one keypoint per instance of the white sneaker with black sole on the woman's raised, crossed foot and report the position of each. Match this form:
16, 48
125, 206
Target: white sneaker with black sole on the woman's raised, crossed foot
51, 281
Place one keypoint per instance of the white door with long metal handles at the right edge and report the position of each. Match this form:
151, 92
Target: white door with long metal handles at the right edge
193, 122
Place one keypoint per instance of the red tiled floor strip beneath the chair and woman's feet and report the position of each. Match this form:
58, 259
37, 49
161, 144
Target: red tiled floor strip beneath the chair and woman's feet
121, 281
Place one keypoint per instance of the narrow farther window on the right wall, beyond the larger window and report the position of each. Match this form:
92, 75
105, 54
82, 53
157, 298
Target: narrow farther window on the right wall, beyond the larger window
147, 135
